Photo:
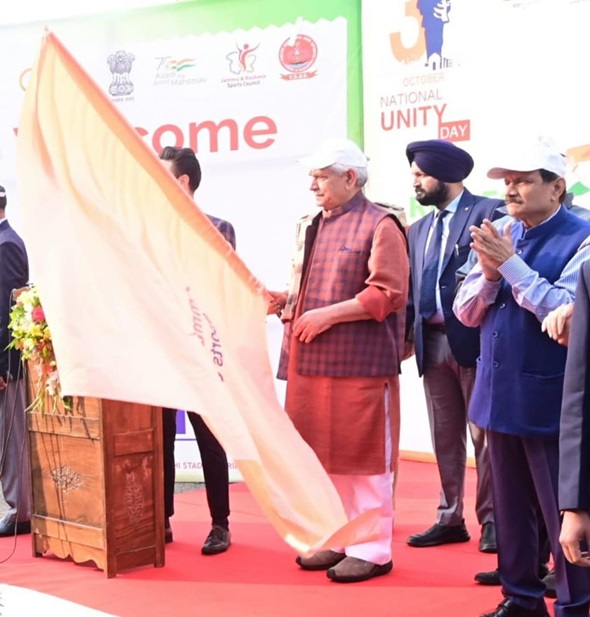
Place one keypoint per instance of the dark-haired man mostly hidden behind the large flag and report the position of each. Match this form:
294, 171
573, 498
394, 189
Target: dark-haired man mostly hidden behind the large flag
185, 167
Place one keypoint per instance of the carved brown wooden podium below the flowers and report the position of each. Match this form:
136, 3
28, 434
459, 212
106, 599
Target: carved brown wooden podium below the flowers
97, 483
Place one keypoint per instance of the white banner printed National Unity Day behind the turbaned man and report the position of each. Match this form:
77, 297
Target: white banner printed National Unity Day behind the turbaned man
479, 73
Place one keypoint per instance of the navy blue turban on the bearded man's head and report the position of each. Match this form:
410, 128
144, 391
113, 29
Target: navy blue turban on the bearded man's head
440, 159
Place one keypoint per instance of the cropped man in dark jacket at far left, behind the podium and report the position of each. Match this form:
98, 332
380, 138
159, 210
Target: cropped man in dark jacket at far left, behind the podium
14, 457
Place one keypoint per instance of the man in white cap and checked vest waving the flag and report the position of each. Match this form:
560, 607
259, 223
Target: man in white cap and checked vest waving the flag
342, 349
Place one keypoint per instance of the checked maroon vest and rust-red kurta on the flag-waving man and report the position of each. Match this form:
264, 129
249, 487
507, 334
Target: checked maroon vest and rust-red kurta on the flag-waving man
336, 385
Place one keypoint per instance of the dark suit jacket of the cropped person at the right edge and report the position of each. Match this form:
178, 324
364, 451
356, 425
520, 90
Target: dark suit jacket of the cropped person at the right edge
574, 431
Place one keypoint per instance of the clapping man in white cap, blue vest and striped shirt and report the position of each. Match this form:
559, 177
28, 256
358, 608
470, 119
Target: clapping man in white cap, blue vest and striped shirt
524, 272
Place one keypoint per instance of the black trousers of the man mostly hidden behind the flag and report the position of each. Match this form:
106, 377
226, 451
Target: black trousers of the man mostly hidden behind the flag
214, 462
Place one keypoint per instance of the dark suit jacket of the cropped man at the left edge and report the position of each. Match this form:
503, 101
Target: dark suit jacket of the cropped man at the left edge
14, 274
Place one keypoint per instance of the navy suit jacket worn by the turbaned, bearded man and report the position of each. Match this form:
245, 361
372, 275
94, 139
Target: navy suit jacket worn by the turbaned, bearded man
471, 210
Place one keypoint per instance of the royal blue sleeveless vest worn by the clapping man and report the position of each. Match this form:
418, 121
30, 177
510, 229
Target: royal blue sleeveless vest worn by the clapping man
519, 380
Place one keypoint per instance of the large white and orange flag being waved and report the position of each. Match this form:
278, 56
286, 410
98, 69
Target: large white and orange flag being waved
148, 303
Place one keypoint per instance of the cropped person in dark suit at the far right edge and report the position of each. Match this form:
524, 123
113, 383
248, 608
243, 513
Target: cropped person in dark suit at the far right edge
574, 431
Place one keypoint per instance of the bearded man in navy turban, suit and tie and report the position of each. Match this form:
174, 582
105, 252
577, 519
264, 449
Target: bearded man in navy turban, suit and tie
446, 350
